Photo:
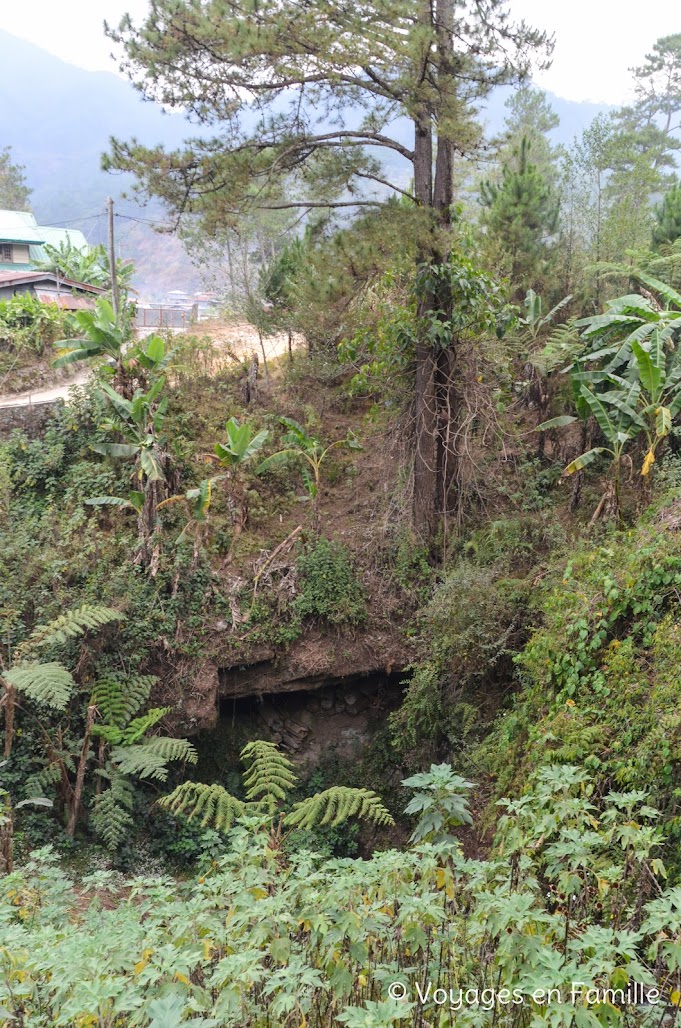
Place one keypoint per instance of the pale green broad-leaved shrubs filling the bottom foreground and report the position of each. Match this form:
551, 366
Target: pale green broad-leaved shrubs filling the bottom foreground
574, 893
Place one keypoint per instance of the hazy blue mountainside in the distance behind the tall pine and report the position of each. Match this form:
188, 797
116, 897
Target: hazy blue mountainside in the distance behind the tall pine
58, 120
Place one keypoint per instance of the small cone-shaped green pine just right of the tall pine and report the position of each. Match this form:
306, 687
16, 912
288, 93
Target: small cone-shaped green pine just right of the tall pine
521, 214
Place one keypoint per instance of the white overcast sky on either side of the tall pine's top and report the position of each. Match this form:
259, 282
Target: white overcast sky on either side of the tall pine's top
597, 41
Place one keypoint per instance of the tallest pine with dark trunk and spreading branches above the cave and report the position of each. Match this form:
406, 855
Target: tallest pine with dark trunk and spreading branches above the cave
298, 93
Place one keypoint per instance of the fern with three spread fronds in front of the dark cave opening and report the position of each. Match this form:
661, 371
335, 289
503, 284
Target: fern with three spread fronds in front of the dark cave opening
268, 781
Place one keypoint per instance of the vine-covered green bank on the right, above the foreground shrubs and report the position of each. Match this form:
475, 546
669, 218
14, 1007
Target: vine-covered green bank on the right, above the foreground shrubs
600, 682
